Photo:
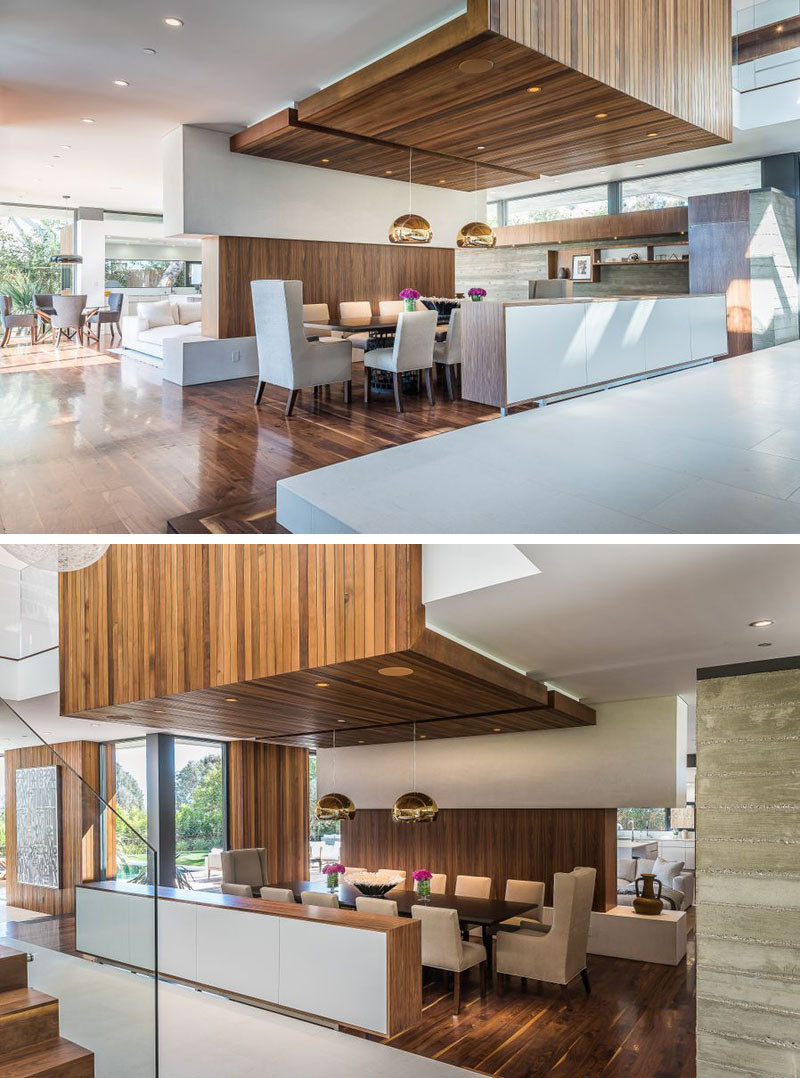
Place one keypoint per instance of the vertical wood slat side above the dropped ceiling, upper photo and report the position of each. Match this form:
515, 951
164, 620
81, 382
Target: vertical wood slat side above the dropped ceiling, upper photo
673, 54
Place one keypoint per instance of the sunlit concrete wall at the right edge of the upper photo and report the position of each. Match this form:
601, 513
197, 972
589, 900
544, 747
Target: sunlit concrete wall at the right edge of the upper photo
774, 269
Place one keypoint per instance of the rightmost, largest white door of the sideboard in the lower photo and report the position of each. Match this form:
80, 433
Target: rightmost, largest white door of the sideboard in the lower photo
335, 973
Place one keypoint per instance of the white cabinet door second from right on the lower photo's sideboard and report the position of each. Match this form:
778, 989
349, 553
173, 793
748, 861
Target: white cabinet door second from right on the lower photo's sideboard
240, 952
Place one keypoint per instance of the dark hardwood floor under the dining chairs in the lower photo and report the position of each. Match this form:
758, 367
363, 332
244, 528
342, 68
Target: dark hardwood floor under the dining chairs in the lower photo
639, 1021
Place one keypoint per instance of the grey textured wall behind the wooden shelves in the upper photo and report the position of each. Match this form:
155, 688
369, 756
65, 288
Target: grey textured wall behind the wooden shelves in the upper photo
505, 272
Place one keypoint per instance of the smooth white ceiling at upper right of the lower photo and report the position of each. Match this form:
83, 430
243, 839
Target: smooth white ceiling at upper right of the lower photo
626, 621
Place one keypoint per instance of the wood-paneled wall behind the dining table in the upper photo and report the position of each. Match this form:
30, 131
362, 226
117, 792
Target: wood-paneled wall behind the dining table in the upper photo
332, 273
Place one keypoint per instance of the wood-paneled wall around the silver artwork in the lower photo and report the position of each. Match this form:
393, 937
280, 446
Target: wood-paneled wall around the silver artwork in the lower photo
81, 821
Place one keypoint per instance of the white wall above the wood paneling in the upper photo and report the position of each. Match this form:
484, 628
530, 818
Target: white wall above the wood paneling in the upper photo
211, 191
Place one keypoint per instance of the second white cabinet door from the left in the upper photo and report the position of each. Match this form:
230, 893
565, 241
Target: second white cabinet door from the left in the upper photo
615, 340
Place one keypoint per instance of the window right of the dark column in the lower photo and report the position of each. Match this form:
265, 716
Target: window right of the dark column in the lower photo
199, 804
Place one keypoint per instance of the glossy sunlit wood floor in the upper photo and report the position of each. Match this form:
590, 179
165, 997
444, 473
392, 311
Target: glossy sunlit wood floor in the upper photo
91, 443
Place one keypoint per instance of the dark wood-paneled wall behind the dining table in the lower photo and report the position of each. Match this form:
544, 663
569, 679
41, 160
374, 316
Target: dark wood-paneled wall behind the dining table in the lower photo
502, 844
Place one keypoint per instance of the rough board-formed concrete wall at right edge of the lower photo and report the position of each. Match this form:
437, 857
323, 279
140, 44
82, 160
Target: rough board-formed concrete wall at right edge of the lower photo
749, 876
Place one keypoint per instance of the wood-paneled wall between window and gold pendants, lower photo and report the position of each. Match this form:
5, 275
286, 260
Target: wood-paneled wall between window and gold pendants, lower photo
268, 806
